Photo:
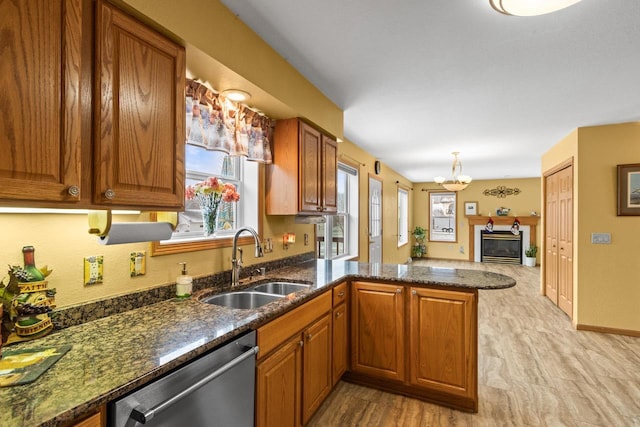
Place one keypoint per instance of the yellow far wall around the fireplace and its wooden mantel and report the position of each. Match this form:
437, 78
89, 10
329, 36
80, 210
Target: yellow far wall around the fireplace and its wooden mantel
521, 205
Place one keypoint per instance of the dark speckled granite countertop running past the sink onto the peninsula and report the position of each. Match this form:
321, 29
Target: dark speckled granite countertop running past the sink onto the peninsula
116, 354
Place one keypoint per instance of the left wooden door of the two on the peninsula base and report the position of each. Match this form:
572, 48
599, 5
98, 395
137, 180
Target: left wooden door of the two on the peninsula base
377, 328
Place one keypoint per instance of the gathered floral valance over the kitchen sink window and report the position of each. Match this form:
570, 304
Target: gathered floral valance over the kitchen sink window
217, 123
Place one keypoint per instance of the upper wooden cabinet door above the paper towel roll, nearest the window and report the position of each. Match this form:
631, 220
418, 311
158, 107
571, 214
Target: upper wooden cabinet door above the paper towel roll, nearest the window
139, 115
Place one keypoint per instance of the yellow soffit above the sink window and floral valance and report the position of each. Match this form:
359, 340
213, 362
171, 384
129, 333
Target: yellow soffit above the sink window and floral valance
223, 51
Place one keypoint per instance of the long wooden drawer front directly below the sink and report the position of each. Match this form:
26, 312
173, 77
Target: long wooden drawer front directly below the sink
278, 330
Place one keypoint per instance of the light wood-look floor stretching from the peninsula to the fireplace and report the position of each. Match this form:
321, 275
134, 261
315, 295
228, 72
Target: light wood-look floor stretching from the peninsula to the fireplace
534, 368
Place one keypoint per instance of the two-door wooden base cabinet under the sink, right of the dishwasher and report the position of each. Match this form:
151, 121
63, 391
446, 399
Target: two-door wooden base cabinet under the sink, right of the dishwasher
294, 374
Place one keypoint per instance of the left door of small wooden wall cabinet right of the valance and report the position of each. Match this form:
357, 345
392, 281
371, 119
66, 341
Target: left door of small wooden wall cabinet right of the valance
310, 164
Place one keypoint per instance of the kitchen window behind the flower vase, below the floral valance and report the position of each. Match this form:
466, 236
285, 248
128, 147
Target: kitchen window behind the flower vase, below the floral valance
201, 164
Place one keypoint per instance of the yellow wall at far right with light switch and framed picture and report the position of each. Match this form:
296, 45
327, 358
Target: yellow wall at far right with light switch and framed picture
608, 291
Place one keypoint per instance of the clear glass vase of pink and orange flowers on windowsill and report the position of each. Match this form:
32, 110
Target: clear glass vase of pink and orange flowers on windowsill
209, 194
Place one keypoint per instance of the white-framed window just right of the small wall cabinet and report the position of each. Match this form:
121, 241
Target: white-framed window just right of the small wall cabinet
338, 236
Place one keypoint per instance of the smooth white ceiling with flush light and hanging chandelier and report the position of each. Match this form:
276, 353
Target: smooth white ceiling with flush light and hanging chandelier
418, 79
